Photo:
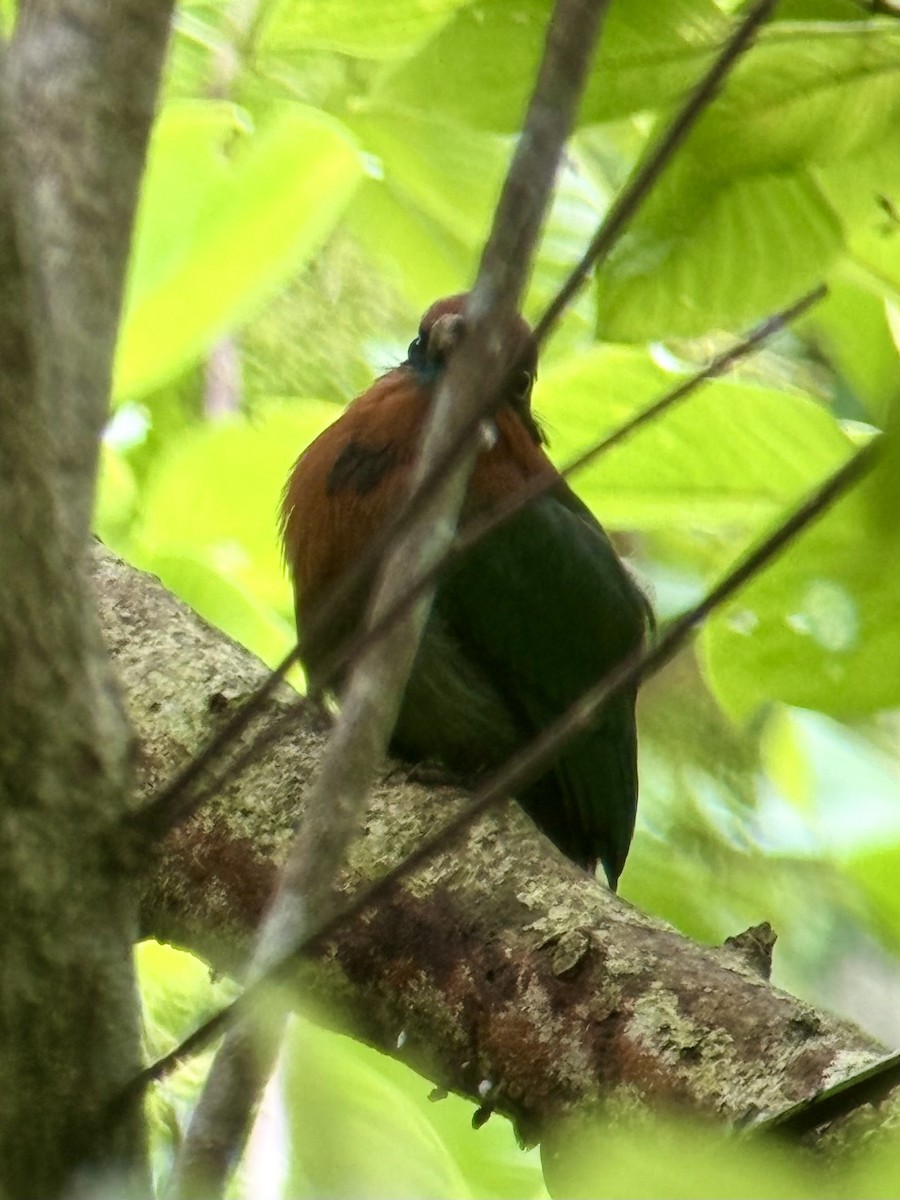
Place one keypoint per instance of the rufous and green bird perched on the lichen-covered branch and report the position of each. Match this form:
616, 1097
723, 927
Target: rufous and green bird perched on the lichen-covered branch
521, 625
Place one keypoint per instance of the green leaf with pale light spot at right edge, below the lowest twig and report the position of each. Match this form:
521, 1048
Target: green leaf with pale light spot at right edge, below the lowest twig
818, 629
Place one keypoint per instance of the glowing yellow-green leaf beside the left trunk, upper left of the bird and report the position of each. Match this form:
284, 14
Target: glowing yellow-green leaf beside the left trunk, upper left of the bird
220, 229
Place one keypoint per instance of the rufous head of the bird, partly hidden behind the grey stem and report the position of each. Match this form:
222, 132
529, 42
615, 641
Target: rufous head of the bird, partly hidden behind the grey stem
443, 328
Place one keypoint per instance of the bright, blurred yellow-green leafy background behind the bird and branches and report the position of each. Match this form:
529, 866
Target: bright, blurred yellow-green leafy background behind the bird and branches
320, 173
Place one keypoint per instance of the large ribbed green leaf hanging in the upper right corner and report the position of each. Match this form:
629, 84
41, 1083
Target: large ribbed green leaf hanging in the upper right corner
740, 223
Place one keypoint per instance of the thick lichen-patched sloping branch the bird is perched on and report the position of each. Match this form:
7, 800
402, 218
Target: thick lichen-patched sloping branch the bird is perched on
515, 979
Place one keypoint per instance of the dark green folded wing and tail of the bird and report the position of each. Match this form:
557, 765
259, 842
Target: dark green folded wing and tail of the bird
548, 609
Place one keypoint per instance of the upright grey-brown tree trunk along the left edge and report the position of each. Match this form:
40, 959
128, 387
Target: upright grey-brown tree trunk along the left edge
77, 91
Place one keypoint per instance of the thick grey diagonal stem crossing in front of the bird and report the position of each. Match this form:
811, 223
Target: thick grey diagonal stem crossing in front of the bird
337, 799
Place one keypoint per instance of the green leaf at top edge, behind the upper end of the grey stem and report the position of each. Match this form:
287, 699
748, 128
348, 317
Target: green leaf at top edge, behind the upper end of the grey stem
481, 68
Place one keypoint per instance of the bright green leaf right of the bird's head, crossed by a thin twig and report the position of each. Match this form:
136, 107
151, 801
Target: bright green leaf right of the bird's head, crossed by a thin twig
734, 455
